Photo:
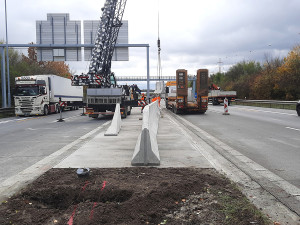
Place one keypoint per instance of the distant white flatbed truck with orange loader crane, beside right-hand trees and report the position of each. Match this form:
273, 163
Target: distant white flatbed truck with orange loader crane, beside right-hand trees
217, 96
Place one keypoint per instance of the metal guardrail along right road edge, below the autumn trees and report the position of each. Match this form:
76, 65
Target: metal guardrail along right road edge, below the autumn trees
268, 103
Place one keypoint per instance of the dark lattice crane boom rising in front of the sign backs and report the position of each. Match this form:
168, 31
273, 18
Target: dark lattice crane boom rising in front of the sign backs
100, 75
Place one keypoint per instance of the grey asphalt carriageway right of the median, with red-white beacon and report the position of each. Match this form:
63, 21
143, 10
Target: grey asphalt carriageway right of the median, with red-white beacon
270, 137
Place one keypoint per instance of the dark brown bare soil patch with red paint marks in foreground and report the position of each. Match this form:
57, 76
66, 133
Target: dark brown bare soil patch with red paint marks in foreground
132, 196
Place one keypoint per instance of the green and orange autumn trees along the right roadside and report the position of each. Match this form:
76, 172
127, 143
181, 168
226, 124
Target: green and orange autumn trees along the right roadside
275, 79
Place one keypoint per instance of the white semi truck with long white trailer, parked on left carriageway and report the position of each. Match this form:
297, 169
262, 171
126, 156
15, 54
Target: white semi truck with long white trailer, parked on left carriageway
43, 94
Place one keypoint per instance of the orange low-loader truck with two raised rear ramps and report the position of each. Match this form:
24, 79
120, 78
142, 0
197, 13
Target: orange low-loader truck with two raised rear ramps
181, 98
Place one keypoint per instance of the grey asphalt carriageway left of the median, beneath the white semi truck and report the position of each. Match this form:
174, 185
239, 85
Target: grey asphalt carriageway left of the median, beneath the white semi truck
27, 140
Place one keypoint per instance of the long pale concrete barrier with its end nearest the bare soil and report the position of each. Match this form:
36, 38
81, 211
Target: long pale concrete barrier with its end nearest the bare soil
146, 149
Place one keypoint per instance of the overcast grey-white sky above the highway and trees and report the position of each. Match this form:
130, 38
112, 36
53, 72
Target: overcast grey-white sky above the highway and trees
194, 33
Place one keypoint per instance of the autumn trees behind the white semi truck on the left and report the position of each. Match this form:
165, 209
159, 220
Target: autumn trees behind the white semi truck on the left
21, 65
